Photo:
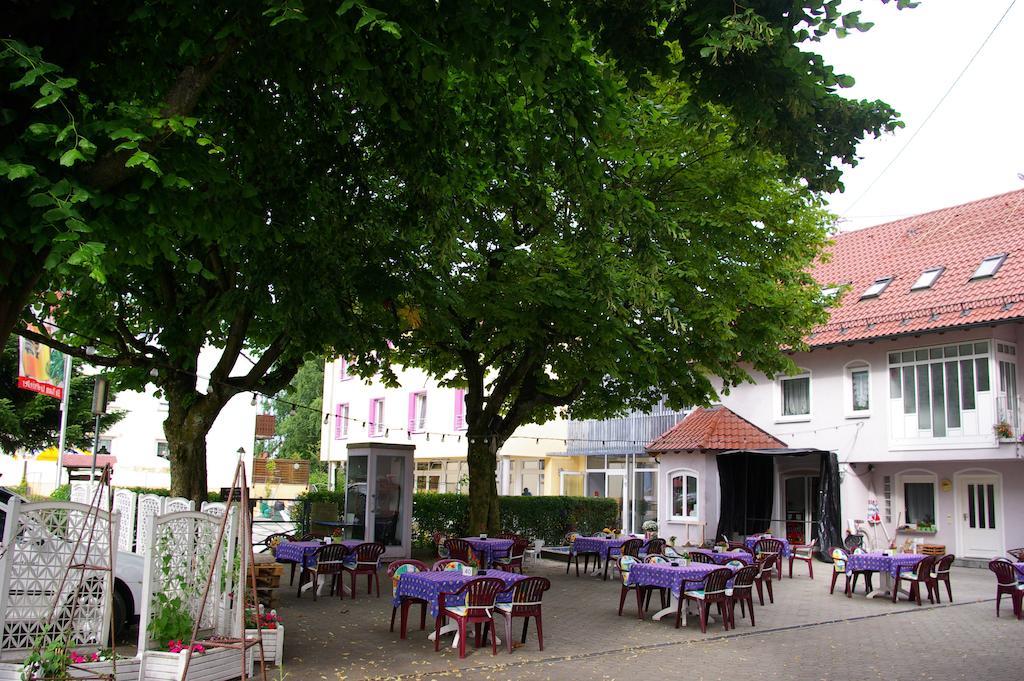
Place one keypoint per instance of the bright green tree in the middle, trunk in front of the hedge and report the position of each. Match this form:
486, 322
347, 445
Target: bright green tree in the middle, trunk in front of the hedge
682, 261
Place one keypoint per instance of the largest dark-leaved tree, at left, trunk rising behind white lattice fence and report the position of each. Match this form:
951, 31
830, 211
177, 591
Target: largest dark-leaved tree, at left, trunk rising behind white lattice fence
258, 176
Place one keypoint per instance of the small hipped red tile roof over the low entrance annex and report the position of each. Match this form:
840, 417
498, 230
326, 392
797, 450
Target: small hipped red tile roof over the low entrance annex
716, 429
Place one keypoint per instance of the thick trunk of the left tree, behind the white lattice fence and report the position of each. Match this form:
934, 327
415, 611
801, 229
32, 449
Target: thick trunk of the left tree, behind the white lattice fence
187, 429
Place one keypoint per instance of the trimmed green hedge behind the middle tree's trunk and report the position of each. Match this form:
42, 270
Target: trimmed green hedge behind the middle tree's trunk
538, 518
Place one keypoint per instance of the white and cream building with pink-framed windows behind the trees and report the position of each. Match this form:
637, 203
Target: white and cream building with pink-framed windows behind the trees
433, 418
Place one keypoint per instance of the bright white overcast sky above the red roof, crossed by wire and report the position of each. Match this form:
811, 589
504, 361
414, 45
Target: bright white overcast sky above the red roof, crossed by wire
973, 147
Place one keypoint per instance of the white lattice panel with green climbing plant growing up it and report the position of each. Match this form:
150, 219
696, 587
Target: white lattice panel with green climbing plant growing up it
179, 562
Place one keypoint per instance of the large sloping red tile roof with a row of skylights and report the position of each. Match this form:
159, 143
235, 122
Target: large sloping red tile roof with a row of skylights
957, 239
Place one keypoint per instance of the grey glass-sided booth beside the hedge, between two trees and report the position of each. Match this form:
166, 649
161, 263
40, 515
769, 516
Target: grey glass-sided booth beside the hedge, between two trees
379, 496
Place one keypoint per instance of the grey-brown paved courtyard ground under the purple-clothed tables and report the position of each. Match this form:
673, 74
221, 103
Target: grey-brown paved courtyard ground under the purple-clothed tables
807, 634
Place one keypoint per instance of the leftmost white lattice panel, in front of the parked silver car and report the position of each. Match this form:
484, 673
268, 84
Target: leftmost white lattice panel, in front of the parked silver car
37, 578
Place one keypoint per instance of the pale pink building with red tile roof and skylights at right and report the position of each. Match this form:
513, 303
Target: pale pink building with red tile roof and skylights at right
913, 384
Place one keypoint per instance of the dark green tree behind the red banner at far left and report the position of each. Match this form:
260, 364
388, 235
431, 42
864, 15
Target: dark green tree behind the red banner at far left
32, 422
